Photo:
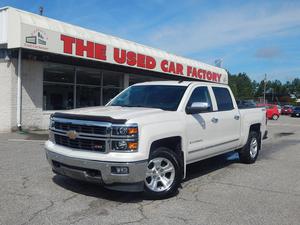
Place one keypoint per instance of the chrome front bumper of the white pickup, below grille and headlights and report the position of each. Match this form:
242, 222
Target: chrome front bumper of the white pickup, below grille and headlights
99, 171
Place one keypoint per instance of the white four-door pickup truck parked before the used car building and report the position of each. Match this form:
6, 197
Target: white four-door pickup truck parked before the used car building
144, 138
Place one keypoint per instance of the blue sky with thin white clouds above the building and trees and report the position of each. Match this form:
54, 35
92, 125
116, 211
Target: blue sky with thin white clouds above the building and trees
255, 37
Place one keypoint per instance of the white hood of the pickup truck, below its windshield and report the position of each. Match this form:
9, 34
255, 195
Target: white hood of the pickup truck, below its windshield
117, 112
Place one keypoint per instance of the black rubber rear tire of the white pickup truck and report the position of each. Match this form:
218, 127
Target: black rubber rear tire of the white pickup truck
245, 154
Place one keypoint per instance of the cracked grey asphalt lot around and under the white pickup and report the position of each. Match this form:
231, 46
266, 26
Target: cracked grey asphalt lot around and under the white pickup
217, 191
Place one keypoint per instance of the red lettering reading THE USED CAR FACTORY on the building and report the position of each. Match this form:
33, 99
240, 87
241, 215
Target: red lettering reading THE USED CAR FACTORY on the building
98, 51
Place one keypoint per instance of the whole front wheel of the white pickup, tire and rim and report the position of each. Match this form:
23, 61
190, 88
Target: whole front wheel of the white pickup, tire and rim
164, 173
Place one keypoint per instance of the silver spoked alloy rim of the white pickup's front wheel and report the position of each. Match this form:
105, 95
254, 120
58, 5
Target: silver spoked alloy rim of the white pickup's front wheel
160, 174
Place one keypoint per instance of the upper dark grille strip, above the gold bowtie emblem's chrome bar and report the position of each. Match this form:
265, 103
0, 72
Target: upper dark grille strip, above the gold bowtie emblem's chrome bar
81, 128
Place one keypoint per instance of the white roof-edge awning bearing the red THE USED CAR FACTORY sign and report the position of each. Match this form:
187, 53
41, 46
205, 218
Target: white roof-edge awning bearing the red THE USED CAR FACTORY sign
20, 29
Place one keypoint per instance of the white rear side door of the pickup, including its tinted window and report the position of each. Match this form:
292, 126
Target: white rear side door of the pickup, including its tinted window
227, 119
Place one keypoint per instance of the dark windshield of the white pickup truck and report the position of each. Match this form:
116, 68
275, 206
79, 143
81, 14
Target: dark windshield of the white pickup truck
165, 97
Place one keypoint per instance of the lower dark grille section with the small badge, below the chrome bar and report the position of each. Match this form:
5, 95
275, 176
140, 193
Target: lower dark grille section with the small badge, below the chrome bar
80, 143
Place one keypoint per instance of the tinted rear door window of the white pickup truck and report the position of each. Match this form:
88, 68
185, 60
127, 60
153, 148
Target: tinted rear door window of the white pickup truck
223, 98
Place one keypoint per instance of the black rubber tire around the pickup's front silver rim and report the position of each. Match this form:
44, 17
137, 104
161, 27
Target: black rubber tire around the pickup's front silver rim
166, 153
